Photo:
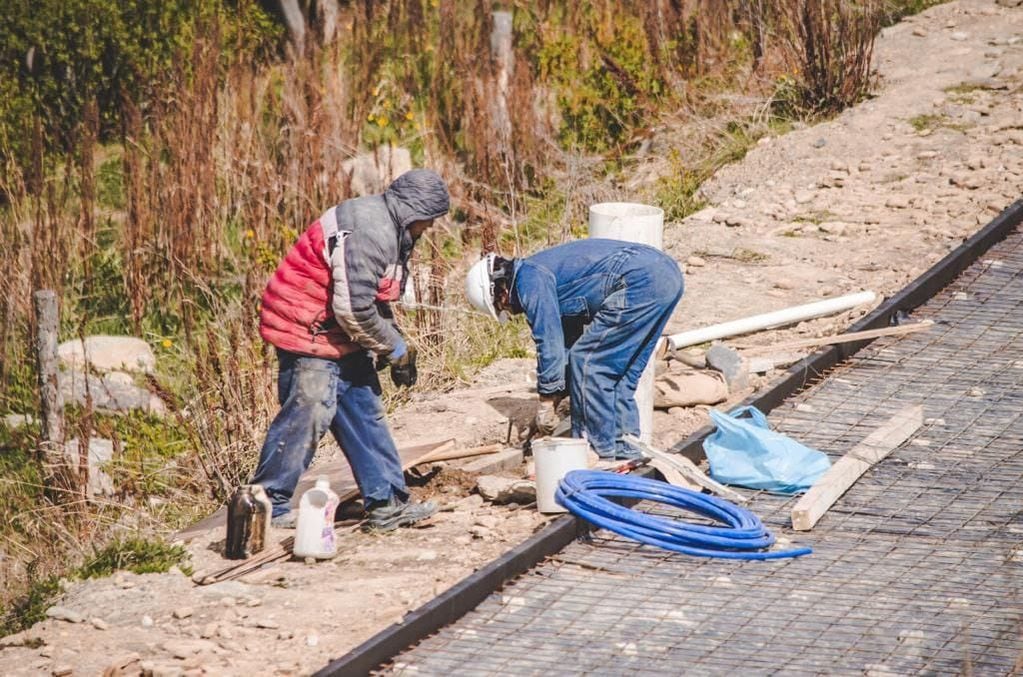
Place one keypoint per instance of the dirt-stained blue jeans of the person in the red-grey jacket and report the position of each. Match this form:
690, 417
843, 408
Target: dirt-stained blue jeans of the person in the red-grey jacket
318, 394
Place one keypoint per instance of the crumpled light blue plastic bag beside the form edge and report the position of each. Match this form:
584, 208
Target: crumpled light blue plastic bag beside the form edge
746, 453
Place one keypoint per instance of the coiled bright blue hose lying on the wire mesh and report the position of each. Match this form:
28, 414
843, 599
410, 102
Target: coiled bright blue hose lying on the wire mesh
584, 493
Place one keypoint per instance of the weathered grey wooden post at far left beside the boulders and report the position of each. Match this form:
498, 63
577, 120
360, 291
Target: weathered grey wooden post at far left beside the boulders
52, 401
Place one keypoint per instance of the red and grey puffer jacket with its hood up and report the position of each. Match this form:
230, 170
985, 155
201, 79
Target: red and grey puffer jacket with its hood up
330, 295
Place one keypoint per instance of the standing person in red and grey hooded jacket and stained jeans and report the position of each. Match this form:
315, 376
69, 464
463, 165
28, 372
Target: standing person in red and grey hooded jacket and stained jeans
327, 310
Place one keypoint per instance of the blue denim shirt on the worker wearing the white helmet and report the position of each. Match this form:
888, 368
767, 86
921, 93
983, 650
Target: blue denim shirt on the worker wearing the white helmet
560, 291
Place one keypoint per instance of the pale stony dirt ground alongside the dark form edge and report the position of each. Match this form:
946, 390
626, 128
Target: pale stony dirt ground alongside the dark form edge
868, 201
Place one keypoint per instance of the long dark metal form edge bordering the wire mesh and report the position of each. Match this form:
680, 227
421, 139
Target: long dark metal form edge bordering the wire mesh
467, 595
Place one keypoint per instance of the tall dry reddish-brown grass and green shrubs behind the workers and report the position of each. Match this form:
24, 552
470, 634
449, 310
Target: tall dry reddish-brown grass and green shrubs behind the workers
158, 159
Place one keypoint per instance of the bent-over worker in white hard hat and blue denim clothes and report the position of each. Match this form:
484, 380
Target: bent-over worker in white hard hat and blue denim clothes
597, 309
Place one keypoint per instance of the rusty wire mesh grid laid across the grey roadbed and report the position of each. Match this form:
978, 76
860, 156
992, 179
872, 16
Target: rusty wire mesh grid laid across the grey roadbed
917, 570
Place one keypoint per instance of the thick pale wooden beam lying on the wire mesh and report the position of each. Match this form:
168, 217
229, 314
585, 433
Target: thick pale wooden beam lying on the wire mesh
858, 461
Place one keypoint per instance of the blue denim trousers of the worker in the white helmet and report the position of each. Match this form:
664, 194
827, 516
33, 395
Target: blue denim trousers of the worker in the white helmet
607, 362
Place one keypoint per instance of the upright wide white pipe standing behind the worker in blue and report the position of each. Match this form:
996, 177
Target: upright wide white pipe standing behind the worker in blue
635, 223
